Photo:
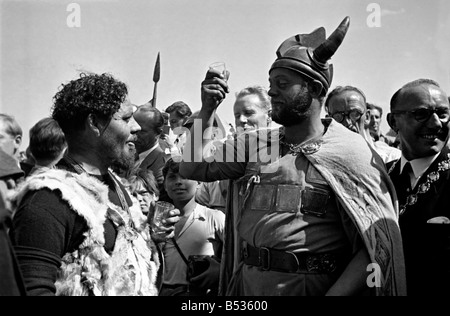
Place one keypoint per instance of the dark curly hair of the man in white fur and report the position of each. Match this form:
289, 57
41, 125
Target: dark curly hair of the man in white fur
101, 95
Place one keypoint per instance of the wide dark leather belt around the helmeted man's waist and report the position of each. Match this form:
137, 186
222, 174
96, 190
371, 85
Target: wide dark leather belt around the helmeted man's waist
285, 261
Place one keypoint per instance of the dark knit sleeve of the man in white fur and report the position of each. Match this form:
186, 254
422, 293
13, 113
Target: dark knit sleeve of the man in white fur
44, 229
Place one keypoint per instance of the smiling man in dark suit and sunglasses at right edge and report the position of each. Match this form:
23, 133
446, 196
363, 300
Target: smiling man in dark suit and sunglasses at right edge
420, 114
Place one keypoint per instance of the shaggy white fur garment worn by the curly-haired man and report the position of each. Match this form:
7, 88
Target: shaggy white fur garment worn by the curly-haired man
131, 269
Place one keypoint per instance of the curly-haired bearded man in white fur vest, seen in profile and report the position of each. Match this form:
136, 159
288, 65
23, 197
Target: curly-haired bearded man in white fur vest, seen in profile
75, 229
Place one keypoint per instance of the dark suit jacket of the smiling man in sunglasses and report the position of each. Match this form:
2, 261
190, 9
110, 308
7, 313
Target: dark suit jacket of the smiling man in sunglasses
426, 246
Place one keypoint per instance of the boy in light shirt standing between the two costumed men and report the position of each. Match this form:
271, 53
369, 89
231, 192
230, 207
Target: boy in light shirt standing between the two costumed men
198, 240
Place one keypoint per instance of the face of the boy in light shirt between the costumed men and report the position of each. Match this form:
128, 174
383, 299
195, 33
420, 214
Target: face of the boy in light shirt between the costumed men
178, 188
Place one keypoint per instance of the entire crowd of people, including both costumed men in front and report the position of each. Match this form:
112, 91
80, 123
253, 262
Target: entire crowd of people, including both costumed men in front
314, 206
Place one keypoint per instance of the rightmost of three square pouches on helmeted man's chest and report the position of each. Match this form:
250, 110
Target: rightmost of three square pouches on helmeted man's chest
314, 201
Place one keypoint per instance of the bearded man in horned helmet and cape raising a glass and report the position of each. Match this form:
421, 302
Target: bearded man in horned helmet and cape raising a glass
316, 211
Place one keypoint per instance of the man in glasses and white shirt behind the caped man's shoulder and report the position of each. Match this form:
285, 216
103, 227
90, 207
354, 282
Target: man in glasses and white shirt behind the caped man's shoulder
347, 105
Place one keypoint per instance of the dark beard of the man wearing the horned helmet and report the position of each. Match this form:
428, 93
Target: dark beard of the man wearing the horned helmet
293, 111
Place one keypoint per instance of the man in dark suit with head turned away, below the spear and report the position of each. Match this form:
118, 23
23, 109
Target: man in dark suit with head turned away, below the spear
150, 154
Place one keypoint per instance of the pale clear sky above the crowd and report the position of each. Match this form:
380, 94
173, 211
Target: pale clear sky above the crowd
45, 43
